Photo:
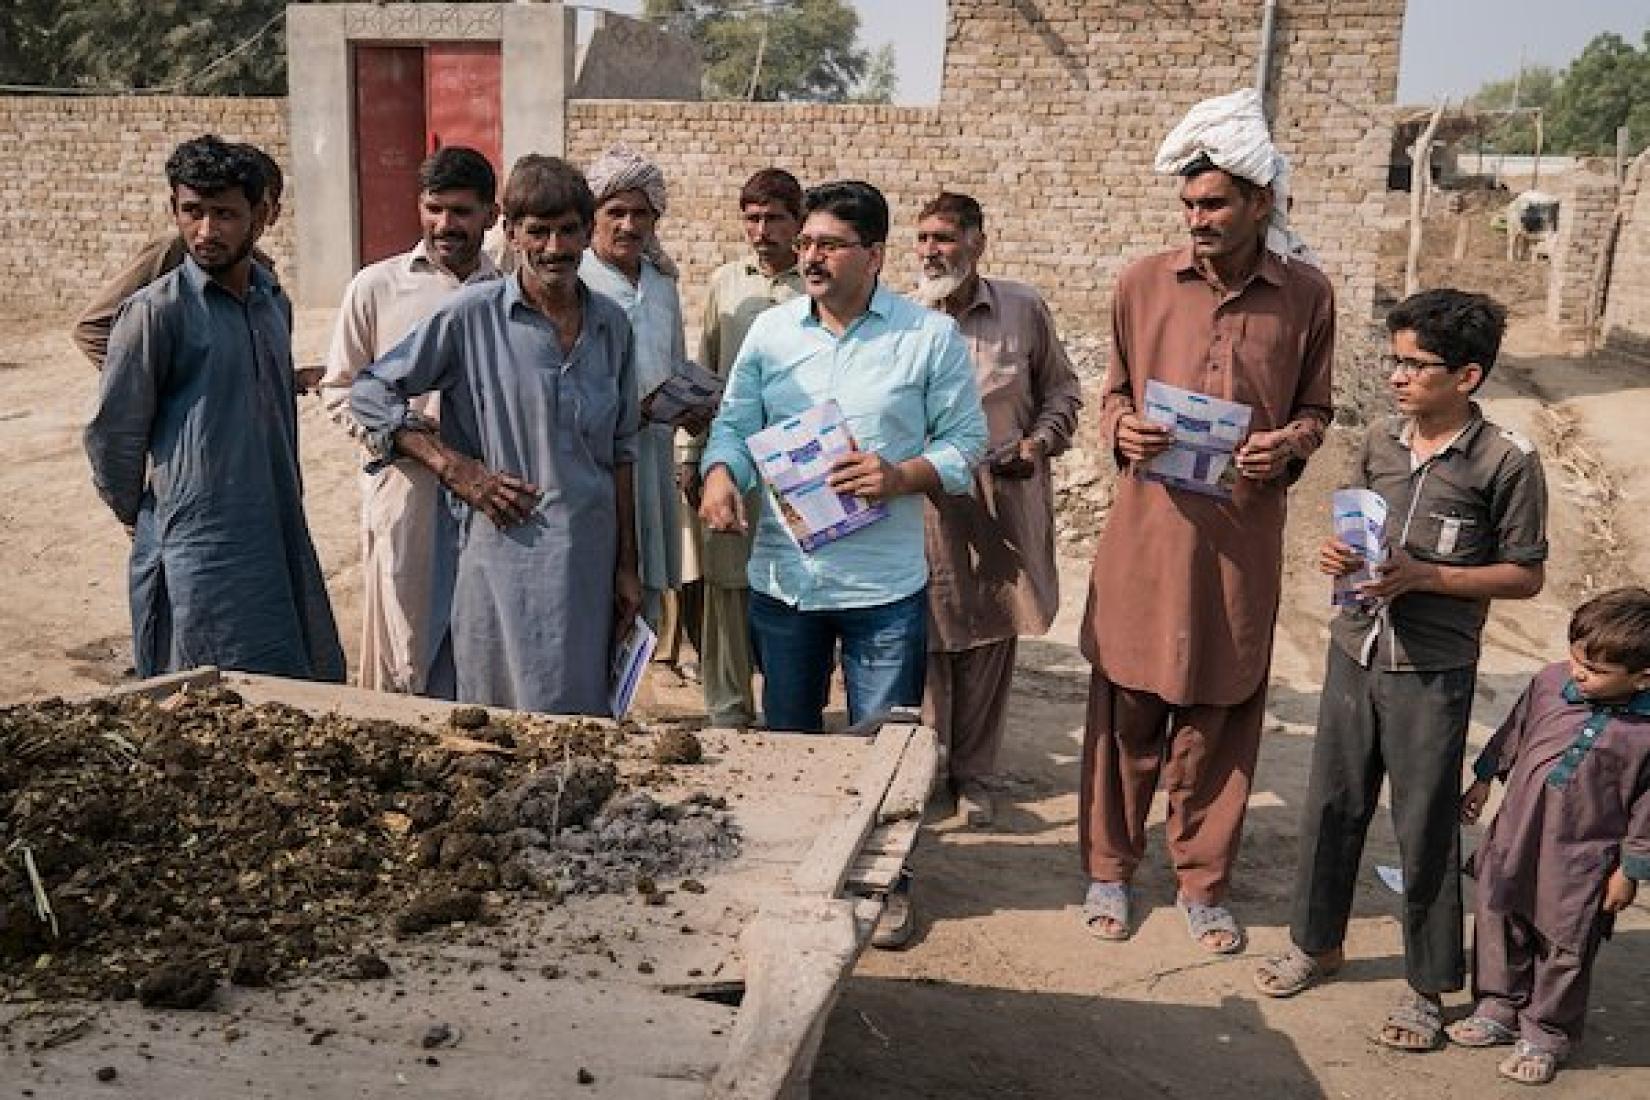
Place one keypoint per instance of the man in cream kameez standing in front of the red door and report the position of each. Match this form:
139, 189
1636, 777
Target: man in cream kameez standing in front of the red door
407, 530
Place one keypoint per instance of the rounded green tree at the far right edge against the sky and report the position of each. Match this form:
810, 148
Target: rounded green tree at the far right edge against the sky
1606, 88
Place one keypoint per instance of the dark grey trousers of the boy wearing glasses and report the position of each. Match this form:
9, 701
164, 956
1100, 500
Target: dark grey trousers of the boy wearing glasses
1410, 728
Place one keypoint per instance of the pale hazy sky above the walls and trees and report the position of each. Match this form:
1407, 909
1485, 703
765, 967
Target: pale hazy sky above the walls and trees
1451, 47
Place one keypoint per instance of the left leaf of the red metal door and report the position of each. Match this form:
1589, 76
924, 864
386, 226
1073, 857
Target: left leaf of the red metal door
389, 148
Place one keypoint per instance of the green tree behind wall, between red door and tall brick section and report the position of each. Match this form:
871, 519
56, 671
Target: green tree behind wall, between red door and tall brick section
801, 50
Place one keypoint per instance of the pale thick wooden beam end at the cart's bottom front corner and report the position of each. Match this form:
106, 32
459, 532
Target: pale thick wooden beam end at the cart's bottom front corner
798, 954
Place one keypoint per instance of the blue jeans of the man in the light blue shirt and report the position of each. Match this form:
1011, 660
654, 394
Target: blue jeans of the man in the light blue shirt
884, 659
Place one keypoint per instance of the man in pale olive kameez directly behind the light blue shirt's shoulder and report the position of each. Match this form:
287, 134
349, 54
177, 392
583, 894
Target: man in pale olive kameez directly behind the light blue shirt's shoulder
771, 212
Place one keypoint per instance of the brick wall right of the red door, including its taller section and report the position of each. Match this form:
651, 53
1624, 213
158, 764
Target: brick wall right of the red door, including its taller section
1050, 115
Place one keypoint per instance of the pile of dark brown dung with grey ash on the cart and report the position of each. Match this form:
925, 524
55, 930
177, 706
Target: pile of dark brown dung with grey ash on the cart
151, 849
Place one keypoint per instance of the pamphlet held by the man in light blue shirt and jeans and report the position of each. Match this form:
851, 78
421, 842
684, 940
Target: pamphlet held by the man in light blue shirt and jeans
796, 458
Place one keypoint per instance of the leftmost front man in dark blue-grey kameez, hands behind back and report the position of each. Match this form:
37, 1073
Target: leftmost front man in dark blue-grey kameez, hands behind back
194, 444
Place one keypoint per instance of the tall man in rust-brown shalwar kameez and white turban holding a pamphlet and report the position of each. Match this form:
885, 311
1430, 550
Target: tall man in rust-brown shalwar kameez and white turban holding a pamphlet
1186, 586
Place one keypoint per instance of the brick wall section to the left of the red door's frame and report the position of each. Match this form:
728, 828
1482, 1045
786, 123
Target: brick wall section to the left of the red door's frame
87, 187
